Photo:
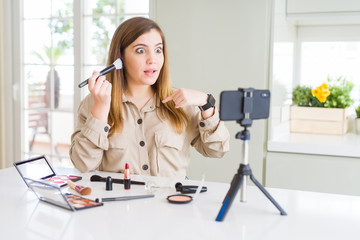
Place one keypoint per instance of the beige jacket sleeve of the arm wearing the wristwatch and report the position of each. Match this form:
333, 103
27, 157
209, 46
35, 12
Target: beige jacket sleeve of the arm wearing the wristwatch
212, 137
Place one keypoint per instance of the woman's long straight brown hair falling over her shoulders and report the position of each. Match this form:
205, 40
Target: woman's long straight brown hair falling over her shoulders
124, 35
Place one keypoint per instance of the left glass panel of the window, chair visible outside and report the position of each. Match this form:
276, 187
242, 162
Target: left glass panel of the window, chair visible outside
48, 77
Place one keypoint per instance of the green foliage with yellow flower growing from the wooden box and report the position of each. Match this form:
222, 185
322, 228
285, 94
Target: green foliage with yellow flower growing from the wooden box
339, 97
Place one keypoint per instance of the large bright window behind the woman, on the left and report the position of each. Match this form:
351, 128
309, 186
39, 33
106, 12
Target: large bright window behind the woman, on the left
52, 63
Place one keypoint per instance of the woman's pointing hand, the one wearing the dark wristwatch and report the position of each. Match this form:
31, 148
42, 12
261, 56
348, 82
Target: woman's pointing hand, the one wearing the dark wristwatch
185, 97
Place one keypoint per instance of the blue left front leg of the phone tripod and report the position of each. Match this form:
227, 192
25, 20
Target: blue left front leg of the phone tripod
229, 198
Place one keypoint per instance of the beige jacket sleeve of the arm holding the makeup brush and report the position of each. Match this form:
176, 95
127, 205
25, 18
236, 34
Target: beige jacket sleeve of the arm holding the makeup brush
89, 139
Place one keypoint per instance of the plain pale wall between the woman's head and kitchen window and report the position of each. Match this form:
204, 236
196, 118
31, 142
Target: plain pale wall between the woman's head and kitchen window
219, 45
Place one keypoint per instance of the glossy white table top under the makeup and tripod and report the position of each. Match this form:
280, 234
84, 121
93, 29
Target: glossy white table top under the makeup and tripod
310, 215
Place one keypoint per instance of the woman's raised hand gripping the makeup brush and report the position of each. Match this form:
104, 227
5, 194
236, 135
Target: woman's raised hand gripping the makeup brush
100, 89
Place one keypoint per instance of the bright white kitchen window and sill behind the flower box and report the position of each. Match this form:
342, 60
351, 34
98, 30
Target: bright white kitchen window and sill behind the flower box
307, 52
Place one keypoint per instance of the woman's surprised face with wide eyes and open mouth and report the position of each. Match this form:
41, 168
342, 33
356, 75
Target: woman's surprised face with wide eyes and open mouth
144, 59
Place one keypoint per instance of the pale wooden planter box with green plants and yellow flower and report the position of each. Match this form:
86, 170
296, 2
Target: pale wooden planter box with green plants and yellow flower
321, 110
